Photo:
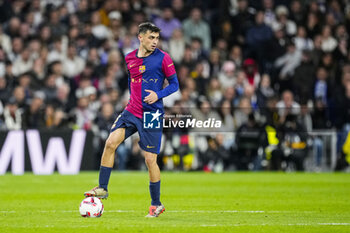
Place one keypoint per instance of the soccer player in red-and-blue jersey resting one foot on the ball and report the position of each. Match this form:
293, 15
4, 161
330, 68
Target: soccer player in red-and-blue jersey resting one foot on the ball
148, 67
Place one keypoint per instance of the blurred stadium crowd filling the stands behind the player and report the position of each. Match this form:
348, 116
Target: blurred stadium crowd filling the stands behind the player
279, 66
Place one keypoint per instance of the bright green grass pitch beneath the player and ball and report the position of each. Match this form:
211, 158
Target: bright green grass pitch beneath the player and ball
194, 202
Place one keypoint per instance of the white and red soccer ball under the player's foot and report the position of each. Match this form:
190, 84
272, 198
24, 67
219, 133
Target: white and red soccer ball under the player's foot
91, 207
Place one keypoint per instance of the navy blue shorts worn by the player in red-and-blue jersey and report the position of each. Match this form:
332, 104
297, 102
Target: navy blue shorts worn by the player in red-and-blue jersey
150, 140
